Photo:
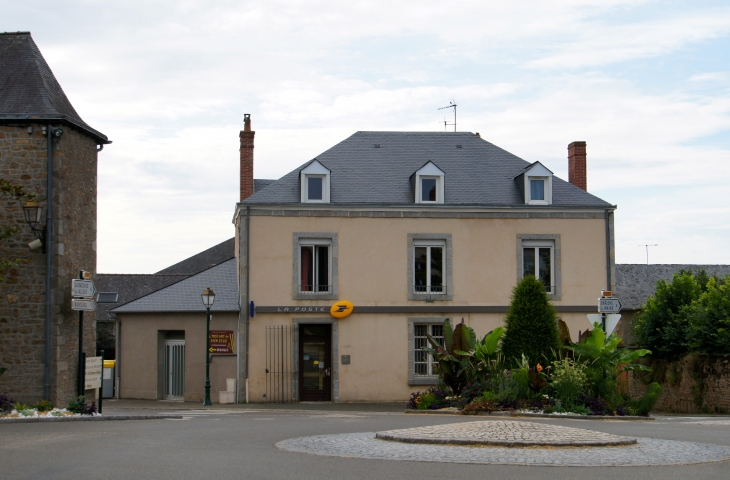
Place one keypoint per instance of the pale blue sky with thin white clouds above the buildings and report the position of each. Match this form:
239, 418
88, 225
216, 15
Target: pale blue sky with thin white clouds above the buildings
645, 83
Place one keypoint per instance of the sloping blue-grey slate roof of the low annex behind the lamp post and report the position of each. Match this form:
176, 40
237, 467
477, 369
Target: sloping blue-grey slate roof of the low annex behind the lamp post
184, 296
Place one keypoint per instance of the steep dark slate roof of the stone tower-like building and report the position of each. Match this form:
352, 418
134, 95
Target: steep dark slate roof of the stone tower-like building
28, 88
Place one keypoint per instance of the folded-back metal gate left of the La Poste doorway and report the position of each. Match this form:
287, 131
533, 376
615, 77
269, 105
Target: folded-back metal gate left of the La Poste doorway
279, 364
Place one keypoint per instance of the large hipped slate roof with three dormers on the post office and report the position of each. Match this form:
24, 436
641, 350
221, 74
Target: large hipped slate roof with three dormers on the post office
477, 173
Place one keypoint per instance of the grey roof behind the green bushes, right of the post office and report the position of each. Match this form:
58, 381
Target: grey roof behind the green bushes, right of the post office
635, 283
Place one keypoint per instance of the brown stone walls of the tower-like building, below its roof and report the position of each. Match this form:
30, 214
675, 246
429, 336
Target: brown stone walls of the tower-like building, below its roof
22, 294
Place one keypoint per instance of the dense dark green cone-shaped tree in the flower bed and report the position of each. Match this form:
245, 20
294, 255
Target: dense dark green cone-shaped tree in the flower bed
531, 324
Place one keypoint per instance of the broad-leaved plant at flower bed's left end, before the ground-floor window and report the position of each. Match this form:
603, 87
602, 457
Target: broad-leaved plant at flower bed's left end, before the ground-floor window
454, 356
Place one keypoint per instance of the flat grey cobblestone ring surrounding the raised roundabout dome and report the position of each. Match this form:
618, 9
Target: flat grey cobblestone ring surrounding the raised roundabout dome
647, 451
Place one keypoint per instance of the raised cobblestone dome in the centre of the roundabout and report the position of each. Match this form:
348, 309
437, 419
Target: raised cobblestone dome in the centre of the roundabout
505, 433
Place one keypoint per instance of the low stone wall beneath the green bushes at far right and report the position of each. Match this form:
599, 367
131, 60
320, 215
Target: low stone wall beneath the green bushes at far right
694, 384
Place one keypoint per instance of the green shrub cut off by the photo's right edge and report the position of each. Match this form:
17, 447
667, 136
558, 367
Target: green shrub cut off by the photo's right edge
709, 319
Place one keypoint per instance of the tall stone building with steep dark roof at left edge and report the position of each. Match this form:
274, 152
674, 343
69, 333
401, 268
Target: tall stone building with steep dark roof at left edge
39, 332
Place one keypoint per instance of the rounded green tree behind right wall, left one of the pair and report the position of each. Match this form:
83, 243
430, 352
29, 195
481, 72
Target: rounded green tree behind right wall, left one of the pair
663, 326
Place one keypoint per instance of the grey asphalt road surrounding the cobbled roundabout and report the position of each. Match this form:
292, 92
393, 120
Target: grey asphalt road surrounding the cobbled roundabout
240, 444
